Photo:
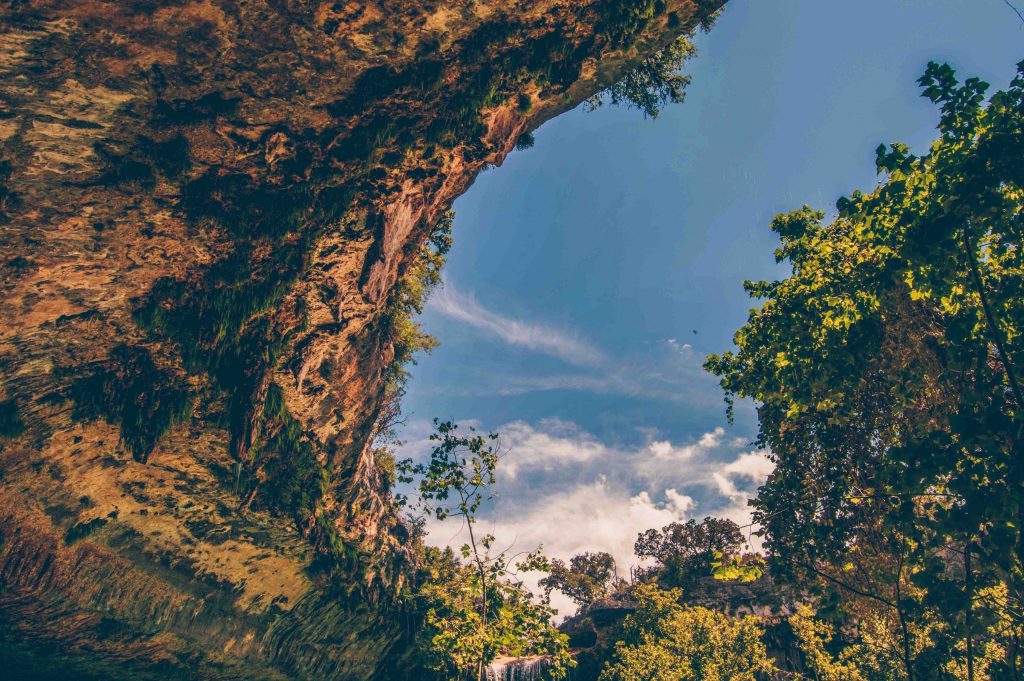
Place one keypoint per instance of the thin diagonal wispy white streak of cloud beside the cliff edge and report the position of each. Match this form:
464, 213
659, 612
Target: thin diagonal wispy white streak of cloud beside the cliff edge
554, 343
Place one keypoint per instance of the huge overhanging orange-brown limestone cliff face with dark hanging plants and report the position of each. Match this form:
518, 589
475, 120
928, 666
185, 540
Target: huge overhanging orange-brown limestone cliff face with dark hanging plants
205, 208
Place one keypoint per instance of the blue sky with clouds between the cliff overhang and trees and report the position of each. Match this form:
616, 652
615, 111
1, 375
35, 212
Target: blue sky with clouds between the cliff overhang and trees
592, 274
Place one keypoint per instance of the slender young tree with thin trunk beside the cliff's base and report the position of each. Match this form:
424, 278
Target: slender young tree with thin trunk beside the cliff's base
480, 608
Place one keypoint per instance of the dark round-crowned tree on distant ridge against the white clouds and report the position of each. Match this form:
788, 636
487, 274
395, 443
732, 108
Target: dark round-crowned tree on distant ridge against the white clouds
689, 550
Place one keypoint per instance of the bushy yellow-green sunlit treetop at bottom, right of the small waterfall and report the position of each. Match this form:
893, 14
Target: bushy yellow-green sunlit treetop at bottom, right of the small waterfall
664, 642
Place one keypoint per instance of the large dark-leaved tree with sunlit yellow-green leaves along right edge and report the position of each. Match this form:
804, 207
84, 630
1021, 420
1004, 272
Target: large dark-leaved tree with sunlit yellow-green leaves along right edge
886, 374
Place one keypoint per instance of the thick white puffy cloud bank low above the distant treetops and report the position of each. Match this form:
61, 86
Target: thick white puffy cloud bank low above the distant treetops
562, 488
